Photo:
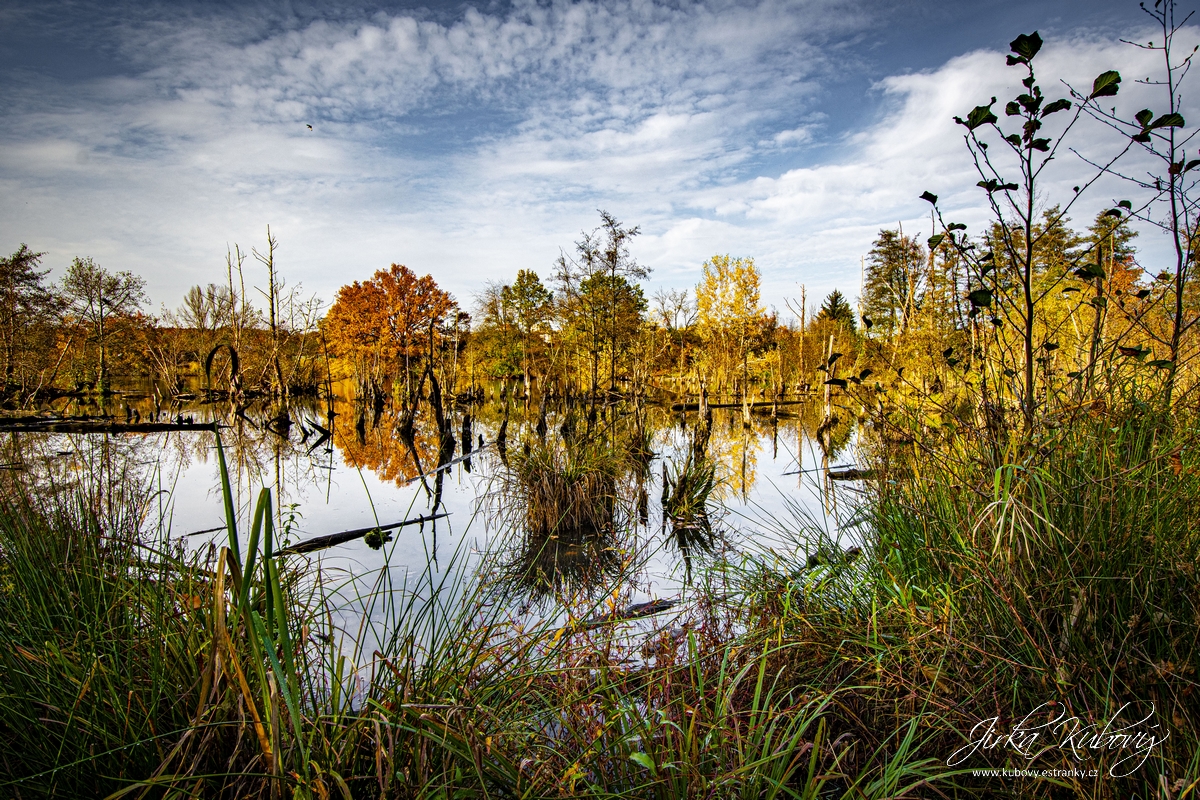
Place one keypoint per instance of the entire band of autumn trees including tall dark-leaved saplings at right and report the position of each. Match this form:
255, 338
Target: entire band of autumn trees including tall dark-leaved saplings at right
1028, 316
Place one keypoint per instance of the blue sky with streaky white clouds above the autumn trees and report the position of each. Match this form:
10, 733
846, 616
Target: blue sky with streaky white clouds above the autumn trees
470, 141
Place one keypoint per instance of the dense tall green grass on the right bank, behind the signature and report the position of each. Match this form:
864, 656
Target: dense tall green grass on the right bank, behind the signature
1049, 593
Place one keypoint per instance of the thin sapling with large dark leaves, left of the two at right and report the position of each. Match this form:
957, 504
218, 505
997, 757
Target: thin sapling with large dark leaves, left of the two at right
1015, 269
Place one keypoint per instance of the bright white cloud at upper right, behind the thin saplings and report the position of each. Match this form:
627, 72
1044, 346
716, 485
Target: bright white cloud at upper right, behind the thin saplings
813, 225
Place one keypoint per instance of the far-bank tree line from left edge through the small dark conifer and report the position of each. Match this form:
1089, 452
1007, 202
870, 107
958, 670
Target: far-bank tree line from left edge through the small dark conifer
589, 330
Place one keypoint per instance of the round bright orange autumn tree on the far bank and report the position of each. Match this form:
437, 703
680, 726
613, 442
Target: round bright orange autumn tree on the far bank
383, 327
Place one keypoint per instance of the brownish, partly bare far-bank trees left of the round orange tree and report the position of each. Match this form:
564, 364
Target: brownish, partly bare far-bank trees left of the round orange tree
79, 335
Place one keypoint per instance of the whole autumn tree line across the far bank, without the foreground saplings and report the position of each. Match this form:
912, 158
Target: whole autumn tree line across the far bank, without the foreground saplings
922, 323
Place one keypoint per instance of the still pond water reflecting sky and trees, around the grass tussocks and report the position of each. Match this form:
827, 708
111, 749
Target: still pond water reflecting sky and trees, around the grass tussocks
363, 476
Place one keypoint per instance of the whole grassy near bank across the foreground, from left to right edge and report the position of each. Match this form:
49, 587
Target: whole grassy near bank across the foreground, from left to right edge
1067, 576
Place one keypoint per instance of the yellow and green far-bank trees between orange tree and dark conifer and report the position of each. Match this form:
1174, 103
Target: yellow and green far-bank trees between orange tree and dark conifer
591, 332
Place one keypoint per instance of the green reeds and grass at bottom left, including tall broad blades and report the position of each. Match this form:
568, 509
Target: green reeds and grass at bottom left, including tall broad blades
129, 665
